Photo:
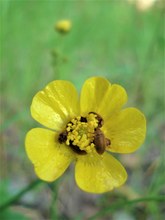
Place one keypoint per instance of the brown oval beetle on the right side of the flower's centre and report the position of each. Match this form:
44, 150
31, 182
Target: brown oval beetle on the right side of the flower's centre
100, 141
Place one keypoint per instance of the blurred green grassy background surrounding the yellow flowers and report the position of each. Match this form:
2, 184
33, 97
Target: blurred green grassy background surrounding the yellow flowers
114, 39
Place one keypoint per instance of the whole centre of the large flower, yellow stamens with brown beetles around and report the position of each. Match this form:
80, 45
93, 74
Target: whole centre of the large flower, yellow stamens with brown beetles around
83, 134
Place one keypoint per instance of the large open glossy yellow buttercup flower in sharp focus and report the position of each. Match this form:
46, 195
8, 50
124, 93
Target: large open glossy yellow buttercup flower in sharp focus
84, 131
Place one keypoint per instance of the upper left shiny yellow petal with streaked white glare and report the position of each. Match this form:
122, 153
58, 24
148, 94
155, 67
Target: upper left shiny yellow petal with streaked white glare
56, 104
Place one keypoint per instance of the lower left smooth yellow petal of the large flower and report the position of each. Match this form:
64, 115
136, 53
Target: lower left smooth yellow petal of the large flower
50, 158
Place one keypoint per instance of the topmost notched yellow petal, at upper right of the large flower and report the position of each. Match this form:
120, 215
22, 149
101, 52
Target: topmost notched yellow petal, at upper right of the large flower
99, 96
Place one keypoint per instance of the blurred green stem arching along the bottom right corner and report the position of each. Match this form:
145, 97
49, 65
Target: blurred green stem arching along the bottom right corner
120, 204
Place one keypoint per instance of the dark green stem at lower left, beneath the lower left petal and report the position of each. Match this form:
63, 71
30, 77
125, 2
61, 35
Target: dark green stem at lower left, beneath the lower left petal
20, 194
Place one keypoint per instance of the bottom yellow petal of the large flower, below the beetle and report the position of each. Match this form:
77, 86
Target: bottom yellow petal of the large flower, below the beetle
98, 174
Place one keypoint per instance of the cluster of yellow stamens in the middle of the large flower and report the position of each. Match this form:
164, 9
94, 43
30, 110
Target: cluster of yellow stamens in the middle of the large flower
80, 133
